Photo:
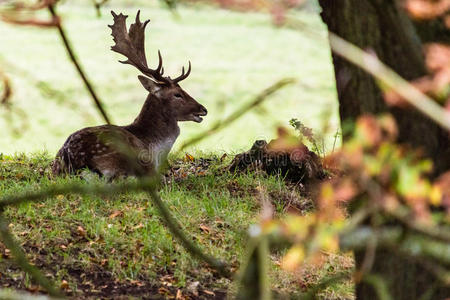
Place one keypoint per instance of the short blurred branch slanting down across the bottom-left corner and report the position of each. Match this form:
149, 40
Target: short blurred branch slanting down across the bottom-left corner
21, 259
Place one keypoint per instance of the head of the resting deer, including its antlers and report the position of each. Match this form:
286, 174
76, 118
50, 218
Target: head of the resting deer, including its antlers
165, 89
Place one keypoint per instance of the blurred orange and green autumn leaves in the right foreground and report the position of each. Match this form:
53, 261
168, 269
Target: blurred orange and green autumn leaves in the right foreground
374, 183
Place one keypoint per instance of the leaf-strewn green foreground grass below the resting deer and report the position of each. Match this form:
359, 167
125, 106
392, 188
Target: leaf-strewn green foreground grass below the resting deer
122, 235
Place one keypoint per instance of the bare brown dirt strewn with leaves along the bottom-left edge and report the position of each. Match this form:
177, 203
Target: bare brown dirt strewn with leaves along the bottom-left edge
97, 282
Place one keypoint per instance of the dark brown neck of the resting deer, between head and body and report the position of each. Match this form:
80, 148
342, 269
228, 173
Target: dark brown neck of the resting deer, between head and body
155, 125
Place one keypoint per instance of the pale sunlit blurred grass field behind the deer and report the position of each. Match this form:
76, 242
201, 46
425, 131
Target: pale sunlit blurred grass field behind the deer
234, 56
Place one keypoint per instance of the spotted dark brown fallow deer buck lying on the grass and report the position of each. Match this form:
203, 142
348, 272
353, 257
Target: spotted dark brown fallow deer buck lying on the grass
132, 150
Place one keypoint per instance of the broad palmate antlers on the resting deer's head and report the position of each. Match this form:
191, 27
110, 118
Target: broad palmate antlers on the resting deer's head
131, 45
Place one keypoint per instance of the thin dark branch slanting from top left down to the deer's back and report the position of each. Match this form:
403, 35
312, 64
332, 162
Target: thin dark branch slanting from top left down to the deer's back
77, 65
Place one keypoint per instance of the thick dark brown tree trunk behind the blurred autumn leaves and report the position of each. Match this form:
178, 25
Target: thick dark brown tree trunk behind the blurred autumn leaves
382, 27
